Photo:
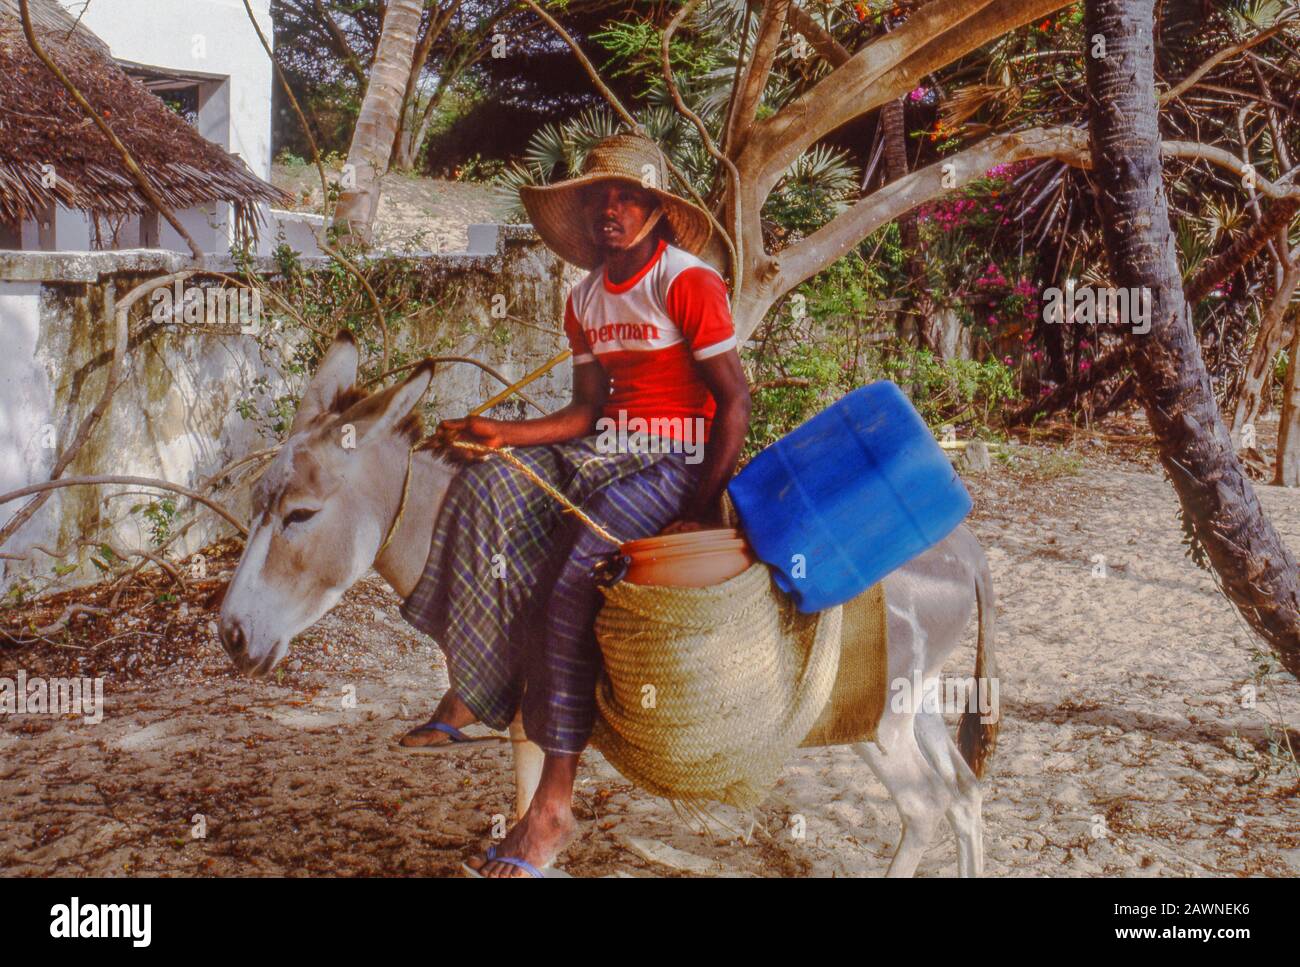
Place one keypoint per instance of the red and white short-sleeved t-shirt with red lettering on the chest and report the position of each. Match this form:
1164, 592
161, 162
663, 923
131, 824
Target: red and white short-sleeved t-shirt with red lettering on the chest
648, 332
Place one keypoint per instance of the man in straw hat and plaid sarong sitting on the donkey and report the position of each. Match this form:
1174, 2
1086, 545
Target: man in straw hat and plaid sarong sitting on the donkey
508, 591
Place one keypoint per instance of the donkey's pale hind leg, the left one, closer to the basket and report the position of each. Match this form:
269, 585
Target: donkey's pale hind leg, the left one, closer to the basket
917, 791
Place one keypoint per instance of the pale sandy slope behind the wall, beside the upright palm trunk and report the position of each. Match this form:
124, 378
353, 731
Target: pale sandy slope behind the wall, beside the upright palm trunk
415, 214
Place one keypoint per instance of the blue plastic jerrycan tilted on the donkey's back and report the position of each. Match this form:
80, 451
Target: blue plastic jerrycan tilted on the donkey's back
856, 492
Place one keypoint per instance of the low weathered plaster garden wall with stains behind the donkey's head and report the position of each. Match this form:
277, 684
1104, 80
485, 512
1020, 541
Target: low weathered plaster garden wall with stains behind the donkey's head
196, 397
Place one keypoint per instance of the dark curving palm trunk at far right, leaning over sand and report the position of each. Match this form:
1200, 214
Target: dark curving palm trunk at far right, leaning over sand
1256, 571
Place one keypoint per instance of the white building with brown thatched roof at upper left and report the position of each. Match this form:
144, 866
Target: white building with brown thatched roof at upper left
205, 59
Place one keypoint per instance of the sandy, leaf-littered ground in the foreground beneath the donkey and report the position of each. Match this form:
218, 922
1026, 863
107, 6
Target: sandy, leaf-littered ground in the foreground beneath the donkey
1126, 749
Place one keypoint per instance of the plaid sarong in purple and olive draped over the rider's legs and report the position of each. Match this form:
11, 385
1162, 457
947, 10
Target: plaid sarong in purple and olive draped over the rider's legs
508, 591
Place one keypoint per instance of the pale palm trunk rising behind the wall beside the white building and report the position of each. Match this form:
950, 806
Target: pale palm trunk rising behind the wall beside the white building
378, 124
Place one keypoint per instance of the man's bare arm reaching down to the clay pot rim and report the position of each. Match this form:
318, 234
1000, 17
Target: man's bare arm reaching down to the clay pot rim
726, 381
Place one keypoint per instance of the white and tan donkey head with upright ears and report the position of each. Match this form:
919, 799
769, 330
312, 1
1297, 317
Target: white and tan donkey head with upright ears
322, 509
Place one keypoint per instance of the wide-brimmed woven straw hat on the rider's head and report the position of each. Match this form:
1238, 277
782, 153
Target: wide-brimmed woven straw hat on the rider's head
557, 210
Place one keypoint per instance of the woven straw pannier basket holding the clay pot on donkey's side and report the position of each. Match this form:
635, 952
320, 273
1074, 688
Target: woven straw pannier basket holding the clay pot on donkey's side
708, 691
